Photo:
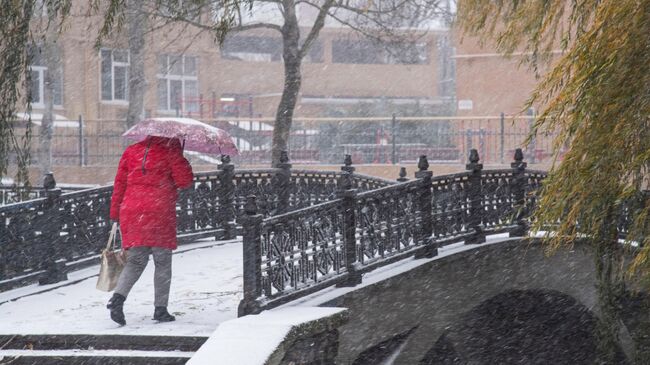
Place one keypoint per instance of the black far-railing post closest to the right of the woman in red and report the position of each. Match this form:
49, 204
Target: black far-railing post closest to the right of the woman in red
226, 195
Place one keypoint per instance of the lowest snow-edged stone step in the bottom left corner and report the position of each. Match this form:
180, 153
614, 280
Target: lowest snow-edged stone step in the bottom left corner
93, 357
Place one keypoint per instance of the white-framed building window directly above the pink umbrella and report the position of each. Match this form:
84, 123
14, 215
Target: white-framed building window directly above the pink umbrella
178, 86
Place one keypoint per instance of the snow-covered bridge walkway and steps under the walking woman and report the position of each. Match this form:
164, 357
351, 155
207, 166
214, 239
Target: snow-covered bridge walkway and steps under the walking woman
70, 318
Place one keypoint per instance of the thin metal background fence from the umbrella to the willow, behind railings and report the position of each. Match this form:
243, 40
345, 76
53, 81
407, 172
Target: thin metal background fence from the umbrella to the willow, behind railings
393, 139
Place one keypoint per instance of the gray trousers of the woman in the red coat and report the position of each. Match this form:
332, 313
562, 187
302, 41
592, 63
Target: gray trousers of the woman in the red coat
136, 261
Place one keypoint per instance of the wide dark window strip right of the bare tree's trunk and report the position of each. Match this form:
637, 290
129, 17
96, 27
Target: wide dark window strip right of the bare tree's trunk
367, 52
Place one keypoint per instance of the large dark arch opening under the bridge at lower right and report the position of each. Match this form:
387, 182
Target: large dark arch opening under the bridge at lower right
536, 326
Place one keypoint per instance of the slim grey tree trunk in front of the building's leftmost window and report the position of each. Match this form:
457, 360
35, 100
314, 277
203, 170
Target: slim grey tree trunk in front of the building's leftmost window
52, 62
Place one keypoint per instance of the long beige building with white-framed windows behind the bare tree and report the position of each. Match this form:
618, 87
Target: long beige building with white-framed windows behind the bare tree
187, 73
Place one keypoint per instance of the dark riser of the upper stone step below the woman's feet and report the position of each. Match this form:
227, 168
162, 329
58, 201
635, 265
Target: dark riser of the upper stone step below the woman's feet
101, 342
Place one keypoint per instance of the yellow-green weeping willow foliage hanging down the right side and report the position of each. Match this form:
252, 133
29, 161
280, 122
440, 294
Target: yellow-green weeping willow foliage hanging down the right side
597, 98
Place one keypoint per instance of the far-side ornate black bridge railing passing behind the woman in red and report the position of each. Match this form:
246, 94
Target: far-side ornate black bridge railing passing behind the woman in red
43, 238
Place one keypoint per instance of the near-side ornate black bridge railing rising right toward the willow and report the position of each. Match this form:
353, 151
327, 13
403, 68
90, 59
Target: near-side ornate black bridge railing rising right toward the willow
332, 243
